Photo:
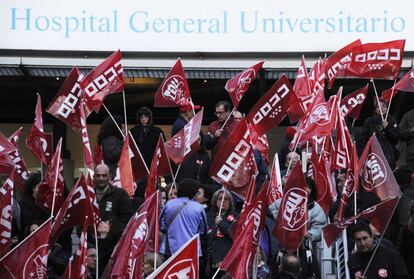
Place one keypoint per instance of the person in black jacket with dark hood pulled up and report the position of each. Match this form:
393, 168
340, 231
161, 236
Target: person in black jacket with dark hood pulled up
146, 134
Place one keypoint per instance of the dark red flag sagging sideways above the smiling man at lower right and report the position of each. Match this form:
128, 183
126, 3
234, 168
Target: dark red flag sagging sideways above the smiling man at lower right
378, 215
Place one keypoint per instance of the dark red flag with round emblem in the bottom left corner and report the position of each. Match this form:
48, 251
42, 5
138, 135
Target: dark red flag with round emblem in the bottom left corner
29, 259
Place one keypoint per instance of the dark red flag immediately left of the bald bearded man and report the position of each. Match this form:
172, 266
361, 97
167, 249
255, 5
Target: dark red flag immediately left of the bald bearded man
77, 206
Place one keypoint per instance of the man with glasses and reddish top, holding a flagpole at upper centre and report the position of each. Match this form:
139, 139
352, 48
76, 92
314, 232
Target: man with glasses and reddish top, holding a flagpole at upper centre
217, 133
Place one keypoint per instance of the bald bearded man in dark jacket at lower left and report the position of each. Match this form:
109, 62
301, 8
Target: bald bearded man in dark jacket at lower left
115, 211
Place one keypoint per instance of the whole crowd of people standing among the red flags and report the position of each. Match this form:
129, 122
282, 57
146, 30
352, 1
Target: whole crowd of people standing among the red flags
196, 204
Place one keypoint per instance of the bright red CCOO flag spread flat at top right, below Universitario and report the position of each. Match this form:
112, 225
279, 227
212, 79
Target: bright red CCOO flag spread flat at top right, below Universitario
377, 60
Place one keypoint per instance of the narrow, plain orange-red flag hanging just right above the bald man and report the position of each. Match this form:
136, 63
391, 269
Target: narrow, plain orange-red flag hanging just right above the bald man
125, 169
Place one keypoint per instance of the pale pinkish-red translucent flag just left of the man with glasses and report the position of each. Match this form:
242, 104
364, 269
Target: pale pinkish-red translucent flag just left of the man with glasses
181, 144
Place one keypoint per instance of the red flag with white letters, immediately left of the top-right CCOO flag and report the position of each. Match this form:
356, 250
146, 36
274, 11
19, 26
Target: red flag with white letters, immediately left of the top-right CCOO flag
337, 63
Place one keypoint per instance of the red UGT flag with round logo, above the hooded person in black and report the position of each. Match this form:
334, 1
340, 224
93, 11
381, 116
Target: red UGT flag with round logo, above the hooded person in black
173, 91
